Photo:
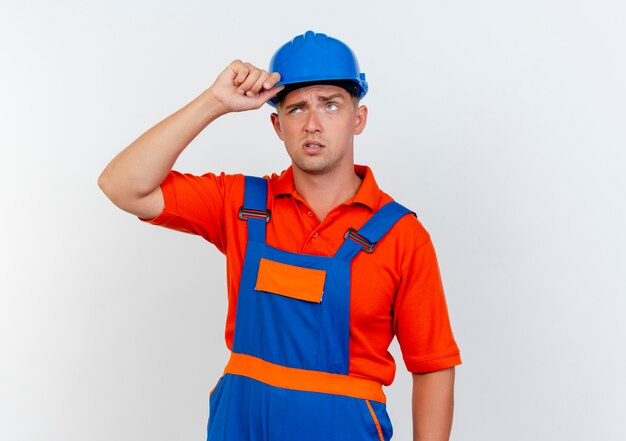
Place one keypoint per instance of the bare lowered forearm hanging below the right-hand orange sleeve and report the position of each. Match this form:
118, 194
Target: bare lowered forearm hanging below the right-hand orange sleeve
433, 405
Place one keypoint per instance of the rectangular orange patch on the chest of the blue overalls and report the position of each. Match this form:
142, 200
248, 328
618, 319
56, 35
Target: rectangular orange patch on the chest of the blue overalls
291, 281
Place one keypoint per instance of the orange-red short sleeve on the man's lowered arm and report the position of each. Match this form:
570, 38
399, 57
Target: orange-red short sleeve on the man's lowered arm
421, 320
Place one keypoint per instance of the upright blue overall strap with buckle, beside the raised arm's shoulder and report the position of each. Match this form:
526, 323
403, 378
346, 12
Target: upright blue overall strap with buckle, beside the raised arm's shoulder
254, 209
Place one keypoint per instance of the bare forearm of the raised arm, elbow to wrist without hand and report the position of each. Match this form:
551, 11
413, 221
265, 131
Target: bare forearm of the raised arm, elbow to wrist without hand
139, 169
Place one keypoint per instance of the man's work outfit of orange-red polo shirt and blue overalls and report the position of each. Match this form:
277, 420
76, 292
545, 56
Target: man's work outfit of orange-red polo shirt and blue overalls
309, 320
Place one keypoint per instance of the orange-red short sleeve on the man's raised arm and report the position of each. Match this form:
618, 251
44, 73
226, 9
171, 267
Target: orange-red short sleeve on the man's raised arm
196, 204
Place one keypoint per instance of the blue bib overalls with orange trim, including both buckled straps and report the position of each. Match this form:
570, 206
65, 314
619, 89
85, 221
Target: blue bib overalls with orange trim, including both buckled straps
287, 378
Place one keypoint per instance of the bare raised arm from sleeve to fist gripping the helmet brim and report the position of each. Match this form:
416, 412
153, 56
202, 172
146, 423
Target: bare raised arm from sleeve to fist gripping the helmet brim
132, 179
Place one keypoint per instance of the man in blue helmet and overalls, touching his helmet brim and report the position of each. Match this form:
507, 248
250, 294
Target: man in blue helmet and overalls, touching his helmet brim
324, 269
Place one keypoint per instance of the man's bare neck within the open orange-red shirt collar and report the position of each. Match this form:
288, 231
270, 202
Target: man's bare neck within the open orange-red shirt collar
325, 191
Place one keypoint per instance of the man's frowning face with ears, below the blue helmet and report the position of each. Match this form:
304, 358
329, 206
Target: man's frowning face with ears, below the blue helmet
317, 124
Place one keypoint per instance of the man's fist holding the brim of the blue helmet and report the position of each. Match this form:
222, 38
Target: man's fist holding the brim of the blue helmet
242, 86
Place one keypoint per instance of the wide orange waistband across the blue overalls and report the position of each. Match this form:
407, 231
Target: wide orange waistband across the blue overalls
304, 380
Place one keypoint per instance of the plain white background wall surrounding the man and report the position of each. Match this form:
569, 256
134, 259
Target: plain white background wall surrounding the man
501, 123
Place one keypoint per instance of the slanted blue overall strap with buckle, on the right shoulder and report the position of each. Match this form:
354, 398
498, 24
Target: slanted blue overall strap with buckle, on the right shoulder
375, 228
